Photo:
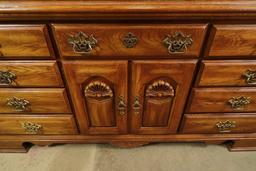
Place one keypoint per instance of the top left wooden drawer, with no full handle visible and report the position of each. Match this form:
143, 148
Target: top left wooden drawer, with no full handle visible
24, 41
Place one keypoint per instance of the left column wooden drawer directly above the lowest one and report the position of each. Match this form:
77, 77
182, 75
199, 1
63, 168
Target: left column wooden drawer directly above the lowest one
37, 100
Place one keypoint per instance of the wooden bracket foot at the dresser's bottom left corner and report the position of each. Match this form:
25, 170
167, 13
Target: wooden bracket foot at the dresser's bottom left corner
13, 147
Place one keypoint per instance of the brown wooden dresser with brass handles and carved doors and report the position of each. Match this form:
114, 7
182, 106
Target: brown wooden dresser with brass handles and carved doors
127, 73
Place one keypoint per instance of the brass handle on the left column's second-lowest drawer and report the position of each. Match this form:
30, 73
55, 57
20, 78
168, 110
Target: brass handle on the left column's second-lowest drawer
19, 104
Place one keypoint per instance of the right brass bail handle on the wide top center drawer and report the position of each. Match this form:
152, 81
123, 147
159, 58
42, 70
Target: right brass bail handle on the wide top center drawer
178, 42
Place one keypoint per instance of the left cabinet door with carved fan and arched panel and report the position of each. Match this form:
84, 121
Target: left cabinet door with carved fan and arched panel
99, 94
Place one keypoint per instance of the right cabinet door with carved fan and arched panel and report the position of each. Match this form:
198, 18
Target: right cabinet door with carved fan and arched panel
159, 91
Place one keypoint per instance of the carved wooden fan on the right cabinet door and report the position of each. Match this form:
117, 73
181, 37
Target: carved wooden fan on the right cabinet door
160, 88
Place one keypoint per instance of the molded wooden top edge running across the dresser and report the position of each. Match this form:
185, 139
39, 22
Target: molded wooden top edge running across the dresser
132, 9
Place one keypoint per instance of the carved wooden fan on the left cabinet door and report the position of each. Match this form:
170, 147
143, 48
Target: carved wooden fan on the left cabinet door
98, 89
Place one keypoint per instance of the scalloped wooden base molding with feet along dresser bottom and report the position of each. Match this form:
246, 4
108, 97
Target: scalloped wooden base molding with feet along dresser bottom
18, 143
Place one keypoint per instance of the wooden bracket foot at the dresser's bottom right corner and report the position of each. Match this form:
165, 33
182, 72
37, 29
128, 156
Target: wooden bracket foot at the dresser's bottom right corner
243, 145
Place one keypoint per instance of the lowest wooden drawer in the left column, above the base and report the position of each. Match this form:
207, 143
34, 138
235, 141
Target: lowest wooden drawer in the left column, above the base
37, 124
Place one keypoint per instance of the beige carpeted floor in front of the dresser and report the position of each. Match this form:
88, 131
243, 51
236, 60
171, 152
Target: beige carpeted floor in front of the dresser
156, 157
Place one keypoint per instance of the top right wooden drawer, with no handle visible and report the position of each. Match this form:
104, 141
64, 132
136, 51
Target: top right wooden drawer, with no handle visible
233, 40
